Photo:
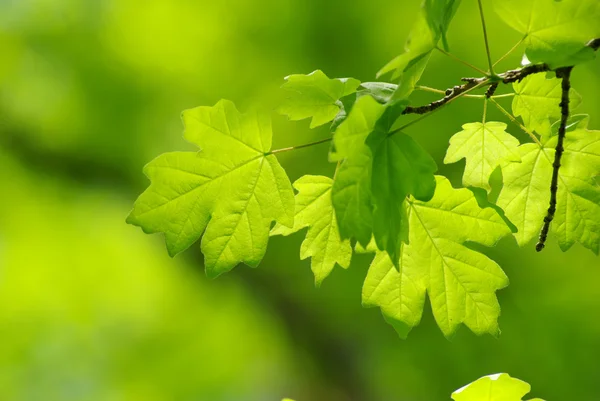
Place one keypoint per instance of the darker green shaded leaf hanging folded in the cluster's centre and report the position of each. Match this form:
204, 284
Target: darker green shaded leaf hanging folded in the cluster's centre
401, 166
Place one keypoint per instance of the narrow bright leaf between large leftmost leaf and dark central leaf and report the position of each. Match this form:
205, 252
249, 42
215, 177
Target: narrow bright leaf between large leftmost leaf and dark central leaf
315, 211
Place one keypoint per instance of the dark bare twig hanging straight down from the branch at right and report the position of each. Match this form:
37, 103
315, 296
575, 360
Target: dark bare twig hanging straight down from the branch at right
565, 75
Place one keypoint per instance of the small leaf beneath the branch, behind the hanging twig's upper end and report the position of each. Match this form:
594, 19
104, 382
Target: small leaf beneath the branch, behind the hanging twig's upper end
537, 100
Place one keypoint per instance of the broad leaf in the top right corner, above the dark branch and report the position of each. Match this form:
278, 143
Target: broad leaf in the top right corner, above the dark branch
556, 32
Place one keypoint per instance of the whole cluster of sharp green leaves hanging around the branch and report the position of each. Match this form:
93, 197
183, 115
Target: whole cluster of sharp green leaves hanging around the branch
385, 197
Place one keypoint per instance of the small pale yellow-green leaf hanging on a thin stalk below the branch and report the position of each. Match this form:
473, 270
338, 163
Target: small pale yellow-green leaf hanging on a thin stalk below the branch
484, 146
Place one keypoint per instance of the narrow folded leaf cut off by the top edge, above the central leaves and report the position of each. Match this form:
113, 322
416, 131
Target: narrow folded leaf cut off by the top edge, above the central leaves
431, 26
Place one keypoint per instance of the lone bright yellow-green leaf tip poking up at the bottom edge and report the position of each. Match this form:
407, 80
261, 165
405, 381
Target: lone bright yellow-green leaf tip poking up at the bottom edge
498, 387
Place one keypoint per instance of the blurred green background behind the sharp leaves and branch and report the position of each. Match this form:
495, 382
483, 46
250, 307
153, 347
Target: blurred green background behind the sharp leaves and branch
93, 309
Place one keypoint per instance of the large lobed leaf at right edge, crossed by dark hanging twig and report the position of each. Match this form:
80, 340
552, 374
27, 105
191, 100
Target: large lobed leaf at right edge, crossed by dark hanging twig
526, 192
